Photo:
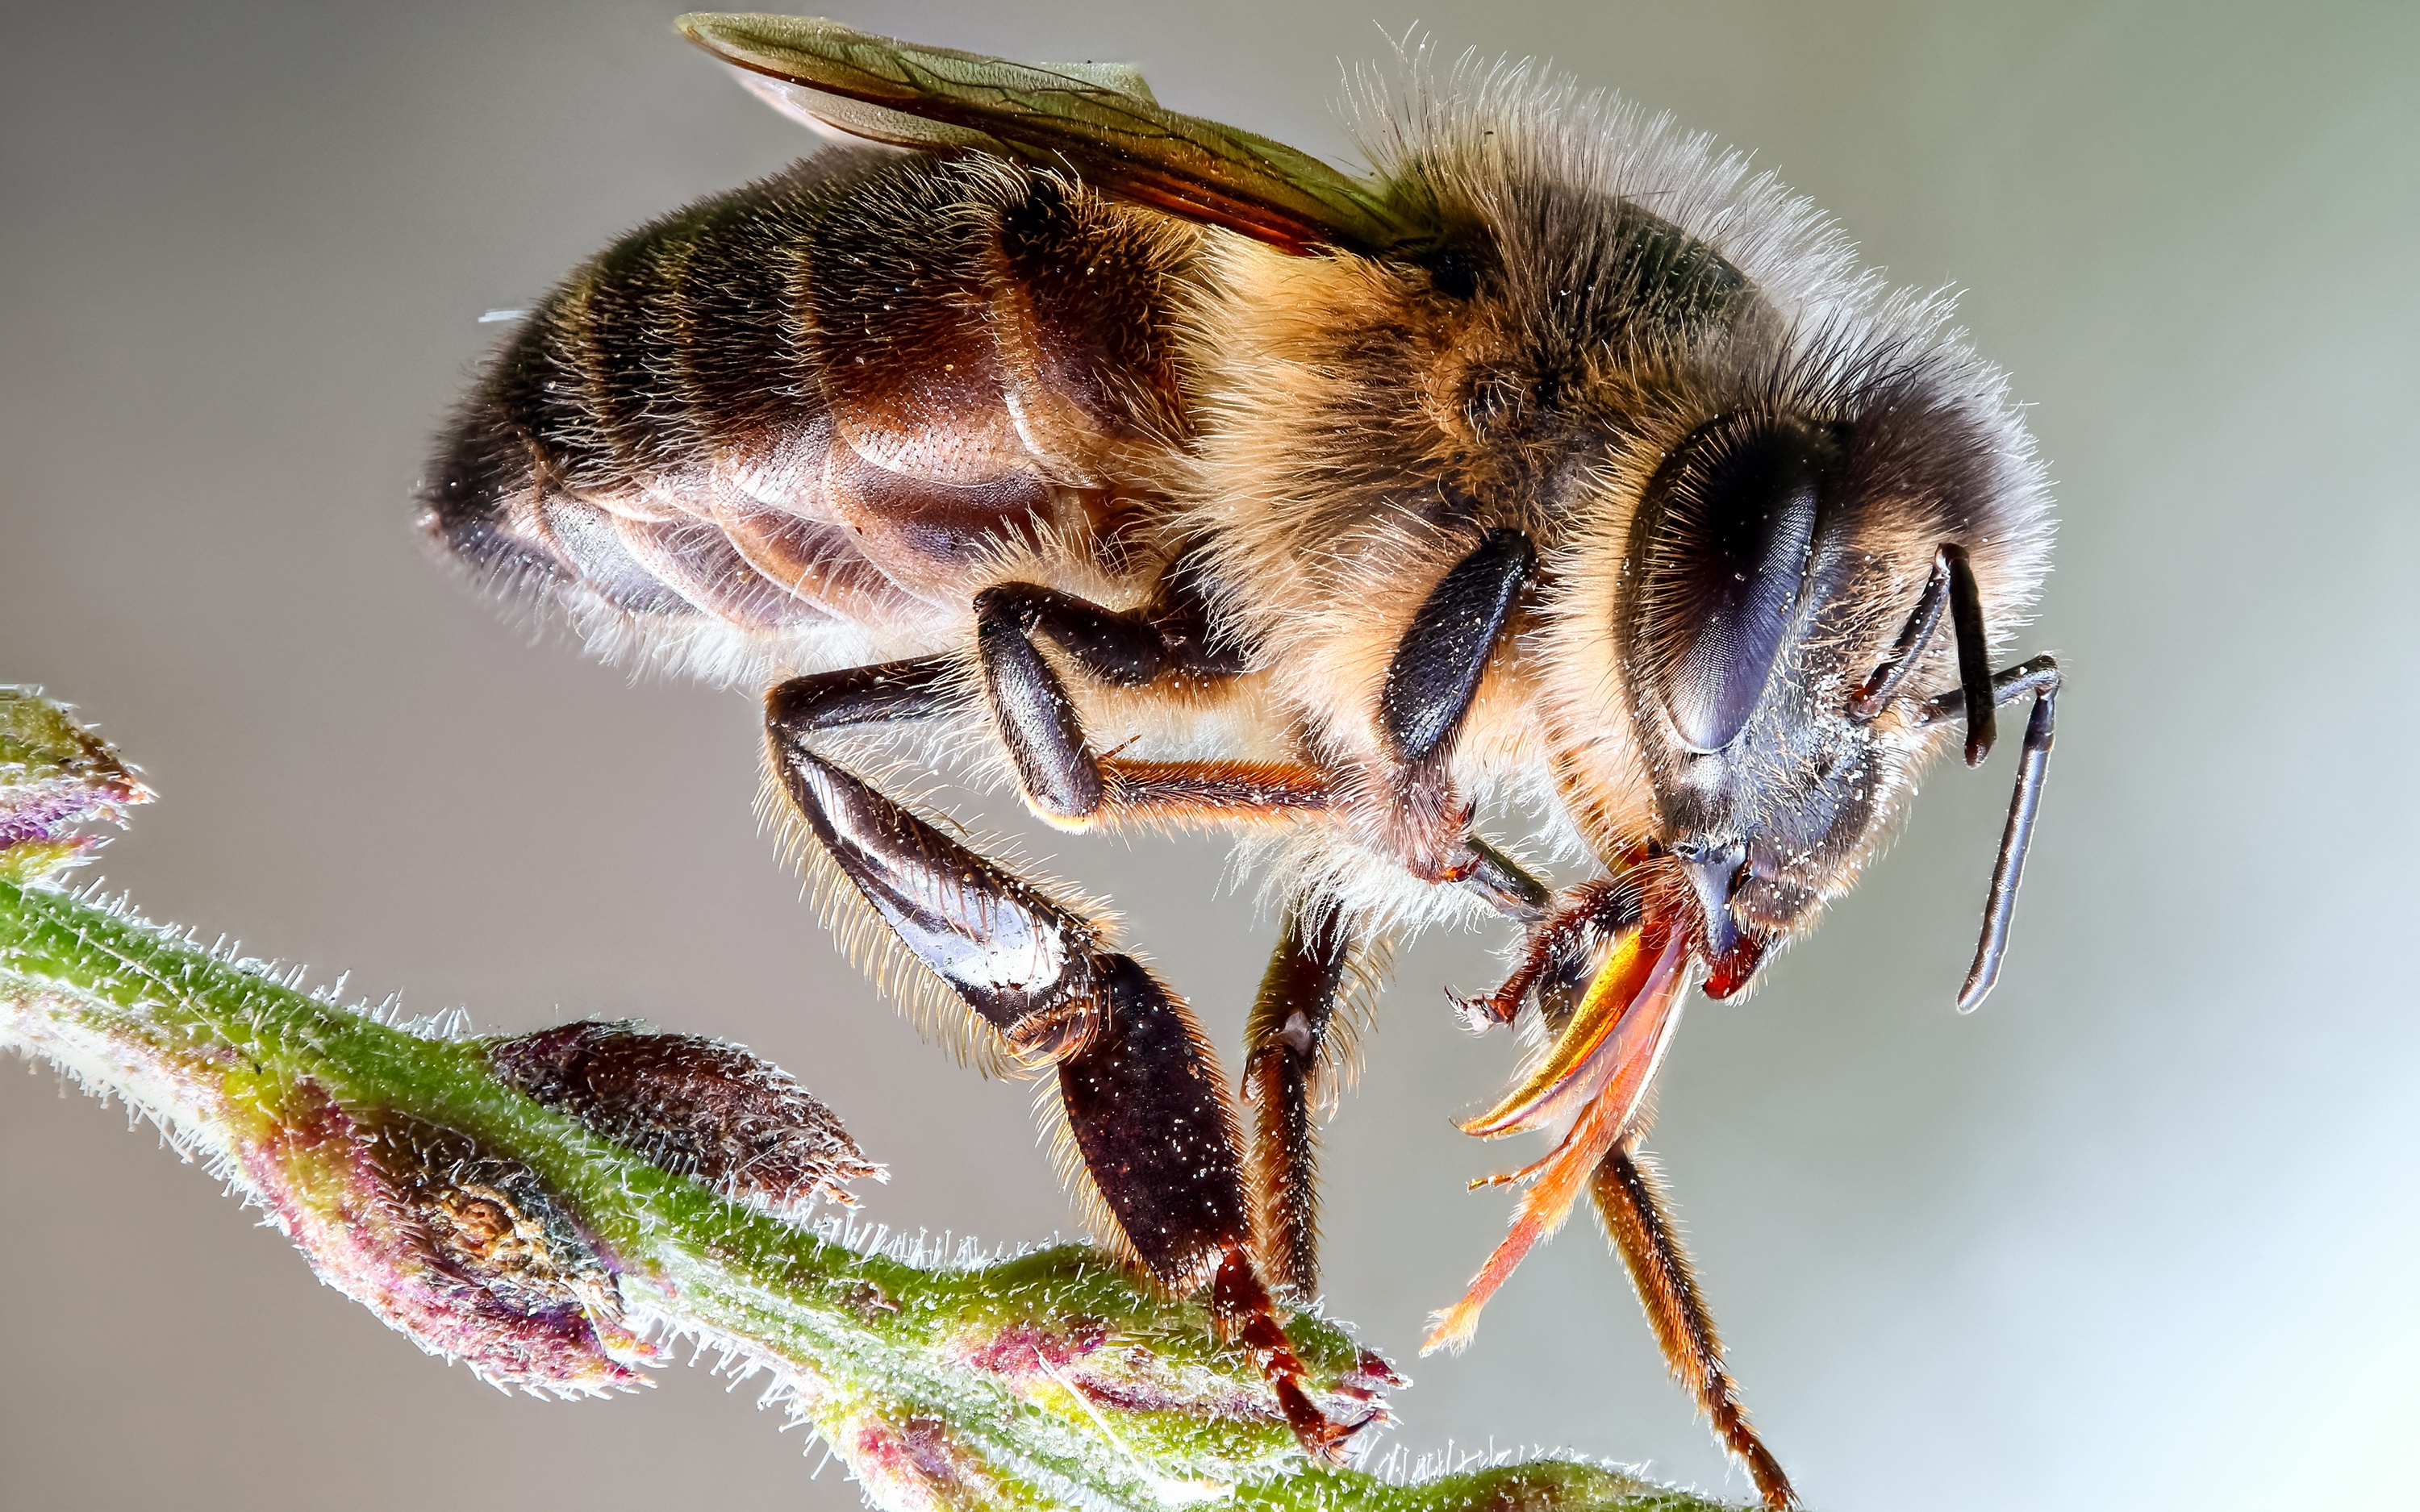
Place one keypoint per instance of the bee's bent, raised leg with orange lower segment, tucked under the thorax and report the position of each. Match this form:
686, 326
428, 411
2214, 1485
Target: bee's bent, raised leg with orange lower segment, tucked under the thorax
1061, 778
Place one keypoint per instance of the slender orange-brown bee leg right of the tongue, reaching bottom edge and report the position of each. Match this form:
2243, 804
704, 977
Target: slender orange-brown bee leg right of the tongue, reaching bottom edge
1632, 1206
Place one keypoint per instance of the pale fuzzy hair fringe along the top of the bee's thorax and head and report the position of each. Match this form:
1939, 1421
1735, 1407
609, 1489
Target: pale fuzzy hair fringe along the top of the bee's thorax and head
1545, 166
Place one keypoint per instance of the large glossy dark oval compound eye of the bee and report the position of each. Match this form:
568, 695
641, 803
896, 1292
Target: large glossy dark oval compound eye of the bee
1729, 529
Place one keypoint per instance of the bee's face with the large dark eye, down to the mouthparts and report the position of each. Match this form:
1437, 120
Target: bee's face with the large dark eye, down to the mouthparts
1758, 596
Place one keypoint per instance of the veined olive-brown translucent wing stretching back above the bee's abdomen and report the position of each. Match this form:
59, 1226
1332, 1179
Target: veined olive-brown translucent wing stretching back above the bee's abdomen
1095, 120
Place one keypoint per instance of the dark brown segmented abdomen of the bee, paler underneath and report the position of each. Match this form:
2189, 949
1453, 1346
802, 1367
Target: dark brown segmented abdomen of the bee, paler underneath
824, 408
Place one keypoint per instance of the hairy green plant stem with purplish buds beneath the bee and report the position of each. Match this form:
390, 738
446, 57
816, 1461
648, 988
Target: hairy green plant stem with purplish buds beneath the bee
555, 1208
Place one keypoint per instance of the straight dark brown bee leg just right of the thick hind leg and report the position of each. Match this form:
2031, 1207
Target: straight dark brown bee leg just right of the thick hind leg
1284, 1070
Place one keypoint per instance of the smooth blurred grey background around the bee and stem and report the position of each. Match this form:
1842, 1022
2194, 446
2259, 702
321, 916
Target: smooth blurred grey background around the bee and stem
2140, 1235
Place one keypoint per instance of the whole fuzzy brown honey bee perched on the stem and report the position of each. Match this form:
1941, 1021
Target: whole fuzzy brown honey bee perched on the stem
1177, 478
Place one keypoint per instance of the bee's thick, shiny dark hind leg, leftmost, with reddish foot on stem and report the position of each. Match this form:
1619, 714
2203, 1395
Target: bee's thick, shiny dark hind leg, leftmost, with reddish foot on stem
1146, 1104
